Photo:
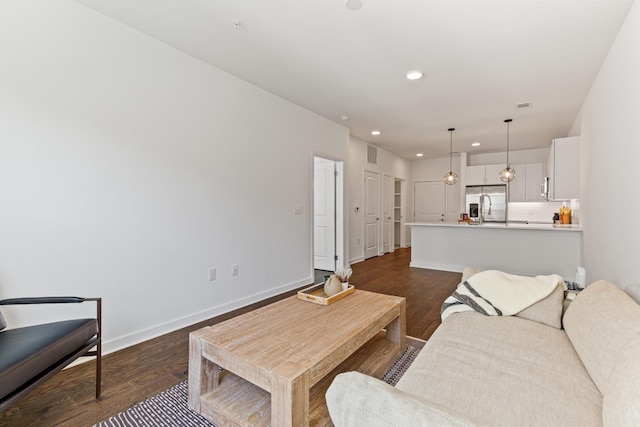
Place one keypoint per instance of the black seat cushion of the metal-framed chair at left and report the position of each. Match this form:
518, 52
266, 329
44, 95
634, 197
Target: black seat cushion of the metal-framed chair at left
26, 352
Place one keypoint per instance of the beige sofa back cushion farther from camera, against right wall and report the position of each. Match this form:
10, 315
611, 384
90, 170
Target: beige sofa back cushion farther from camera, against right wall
601, 322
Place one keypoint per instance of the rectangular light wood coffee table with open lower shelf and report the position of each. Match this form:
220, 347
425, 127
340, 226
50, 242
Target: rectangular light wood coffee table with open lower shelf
272, 357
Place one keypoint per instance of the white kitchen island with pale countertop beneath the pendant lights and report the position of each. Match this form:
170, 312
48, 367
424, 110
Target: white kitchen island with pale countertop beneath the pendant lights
518, 248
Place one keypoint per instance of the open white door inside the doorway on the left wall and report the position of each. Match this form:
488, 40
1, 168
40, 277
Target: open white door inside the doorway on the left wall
324, 218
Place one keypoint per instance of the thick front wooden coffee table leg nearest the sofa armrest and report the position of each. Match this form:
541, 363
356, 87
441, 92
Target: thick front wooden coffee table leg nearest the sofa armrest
290, 396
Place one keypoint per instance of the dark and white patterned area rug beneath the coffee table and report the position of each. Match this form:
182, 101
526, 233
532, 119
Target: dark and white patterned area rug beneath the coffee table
169, 408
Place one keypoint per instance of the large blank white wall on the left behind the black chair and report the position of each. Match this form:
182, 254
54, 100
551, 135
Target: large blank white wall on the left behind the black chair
128, 169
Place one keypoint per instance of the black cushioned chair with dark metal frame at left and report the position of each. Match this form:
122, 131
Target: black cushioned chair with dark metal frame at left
31, 355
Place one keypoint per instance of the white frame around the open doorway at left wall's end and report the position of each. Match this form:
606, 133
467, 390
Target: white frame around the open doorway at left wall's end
339, 209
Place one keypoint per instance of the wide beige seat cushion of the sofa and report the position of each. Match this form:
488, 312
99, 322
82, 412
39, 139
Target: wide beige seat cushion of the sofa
504, 371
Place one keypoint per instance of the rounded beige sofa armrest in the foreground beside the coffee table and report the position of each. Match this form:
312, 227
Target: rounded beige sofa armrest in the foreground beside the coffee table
355, 399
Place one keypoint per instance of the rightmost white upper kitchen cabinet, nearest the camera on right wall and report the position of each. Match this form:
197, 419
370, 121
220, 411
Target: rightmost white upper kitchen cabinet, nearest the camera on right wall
563, 169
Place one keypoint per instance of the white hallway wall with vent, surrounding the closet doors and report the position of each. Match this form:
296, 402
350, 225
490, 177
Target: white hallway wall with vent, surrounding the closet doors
388, 164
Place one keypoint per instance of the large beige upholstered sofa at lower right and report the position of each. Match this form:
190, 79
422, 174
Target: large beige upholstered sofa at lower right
513, 371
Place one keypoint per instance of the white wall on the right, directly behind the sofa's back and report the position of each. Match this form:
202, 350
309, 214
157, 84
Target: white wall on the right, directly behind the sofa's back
610, 132
